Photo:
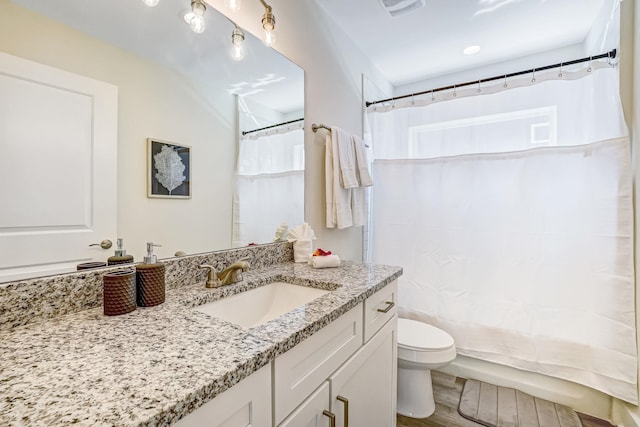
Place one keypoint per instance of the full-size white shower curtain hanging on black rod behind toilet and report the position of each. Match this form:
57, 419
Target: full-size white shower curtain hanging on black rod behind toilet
512, 216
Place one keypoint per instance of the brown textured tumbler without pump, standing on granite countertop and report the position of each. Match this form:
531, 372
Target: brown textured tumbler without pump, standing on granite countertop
119, 292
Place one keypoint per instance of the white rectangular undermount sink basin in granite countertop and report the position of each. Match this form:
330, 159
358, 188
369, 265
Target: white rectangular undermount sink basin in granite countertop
257, 306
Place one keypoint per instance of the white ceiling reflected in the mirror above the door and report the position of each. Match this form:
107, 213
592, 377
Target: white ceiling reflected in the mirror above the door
161, 35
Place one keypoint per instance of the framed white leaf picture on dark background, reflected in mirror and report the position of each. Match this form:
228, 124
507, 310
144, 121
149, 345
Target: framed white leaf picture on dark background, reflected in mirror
168, 170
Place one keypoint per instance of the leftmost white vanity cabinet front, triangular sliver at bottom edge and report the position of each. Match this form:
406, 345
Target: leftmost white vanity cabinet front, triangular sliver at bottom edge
247, 404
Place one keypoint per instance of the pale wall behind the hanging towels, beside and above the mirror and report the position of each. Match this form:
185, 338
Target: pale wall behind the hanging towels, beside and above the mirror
333, 67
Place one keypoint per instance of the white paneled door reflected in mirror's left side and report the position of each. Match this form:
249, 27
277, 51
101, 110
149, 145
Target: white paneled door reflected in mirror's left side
58, 143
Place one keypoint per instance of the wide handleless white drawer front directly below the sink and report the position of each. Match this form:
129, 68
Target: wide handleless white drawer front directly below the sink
302, 369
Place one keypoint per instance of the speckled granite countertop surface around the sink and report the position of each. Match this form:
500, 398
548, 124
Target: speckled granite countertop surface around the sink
154, 365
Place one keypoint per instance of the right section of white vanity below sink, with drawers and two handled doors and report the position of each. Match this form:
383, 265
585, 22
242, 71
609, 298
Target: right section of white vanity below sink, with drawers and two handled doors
357, 386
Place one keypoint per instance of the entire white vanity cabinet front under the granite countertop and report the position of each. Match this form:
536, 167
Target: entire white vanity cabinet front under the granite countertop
343, 375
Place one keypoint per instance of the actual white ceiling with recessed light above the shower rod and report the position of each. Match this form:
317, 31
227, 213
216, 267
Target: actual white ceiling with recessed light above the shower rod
429, 41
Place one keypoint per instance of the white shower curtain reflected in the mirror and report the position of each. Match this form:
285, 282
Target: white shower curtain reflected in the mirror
269, 186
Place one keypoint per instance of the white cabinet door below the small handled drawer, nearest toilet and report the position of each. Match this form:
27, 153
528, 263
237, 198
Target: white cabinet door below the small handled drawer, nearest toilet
365, 386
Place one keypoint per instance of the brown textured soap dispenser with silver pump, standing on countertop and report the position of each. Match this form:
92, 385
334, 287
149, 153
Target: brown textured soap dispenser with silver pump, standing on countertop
150, 280
